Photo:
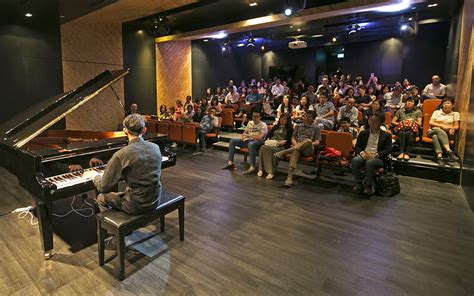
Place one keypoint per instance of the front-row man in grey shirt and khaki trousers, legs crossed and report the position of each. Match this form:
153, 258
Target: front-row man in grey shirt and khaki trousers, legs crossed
304, 140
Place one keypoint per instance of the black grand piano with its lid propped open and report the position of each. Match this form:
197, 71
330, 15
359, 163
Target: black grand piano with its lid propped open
40, 157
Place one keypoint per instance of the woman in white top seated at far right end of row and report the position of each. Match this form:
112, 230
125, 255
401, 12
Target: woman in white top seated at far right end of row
444, 123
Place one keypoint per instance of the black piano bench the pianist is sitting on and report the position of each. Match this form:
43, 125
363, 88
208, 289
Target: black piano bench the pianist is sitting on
120, 224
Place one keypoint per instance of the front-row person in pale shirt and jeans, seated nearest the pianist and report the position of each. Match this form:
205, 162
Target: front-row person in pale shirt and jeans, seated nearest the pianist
252, 138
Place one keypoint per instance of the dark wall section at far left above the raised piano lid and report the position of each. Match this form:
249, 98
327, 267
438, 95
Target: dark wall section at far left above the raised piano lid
30, 56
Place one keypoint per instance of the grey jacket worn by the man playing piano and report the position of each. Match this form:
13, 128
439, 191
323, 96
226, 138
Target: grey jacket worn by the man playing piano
139, 165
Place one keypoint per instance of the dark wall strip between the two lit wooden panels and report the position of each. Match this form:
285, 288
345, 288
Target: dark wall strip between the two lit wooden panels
139, 56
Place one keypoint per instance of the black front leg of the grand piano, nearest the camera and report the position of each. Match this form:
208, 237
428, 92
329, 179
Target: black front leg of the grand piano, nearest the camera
45, 223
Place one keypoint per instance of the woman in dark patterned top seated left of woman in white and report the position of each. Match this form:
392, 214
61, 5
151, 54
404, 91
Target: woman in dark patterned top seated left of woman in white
406, 122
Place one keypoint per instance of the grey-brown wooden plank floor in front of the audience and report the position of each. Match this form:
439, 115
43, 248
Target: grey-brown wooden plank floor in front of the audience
246, 235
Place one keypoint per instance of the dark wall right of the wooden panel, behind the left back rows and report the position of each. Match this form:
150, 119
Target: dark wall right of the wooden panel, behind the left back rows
212, 68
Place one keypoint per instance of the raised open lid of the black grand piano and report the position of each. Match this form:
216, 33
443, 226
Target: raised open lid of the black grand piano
24, 126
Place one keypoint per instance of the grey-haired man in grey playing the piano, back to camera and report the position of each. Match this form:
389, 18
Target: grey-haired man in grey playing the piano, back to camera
139, 165
